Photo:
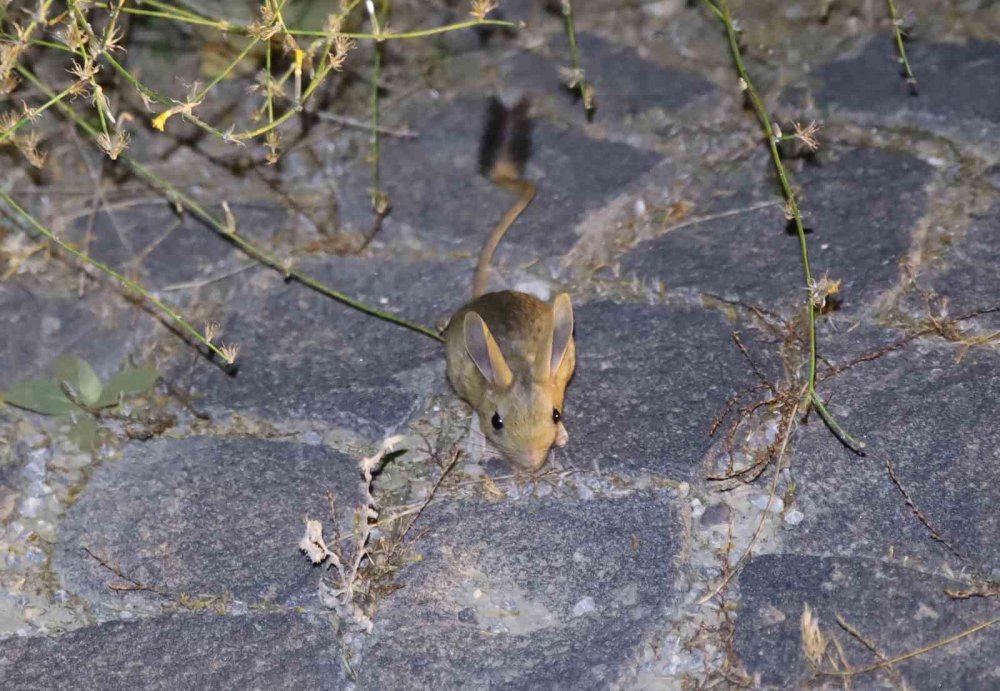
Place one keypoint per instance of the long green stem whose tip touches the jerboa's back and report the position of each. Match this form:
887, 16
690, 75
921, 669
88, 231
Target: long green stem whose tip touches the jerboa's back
182, 200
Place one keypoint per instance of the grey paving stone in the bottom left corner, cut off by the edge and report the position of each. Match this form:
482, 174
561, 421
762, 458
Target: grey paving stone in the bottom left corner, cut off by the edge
270, 651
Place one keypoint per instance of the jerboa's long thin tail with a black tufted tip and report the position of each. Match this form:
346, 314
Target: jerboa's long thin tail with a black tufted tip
505, 148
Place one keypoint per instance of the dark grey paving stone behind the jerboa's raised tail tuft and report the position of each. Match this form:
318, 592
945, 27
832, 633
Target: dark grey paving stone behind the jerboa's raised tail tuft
439, 198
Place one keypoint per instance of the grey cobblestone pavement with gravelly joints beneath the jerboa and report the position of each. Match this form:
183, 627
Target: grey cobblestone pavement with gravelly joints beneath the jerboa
173, 562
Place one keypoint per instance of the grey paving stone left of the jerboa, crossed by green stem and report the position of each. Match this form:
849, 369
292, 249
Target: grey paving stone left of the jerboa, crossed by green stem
309, 358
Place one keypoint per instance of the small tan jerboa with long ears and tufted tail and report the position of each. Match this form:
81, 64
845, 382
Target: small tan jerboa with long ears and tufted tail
509, 354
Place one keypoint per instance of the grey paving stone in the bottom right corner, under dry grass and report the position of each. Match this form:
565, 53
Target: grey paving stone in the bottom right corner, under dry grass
897, 609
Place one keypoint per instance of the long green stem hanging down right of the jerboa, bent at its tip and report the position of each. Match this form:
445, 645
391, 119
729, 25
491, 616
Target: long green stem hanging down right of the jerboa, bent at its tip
723, 13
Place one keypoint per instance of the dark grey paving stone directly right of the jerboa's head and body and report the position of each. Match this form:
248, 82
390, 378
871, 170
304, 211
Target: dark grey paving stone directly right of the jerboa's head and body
649, 381
